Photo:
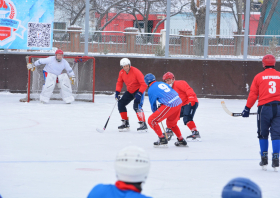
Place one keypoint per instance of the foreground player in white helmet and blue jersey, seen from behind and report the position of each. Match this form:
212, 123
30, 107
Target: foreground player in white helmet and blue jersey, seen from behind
132, 167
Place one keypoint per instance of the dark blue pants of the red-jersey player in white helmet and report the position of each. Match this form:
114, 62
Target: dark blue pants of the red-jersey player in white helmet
127, 98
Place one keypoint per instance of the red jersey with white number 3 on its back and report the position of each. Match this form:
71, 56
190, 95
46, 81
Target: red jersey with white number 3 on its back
266, 86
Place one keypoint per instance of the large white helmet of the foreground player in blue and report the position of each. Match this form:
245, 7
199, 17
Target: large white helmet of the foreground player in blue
132, 164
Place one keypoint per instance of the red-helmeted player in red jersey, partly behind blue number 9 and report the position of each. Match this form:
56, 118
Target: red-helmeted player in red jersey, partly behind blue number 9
189, 105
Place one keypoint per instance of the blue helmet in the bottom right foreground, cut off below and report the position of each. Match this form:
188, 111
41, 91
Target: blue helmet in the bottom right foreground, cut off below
241, 188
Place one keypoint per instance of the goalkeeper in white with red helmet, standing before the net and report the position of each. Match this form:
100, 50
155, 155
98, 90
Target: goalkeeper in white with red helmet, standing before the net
54, 65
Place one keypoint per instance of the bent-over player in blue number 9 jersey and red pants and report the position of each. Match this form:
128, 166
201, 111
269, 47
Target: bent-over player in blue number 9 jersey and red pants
170, 109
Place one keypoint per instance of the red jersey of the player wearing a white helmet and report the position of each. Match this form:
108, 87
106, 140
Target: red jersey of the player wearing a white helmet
133, 80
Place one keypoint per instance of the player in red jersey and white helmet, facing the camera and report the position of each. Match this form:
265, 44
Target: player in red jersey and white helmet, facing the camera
136, 86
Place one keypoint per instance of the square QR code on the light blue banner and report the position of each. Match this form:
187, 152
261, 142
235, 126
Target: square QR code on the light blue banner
39, 35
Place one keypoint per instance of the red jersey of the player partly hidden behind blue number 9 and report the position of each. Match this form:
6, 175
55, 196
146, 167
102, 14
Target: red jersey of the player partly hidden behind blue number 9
185, 92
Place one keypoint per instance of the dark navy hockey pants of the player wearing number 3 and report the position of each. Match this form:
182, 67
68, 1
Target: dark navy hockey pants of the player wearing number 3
269, 120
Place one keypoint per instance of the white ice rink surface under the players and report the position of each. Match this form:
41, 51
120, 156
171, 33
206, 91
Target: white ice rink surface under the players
54, 151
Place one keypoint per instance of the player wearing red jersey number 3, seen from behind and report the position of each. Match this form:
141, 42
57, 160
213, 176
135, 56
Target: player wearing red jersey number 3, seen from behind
266, 86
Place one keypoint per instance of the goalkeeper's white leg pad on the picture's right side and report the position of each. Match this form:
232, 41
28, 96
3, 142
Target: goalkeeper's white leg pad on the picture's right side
66, 89
